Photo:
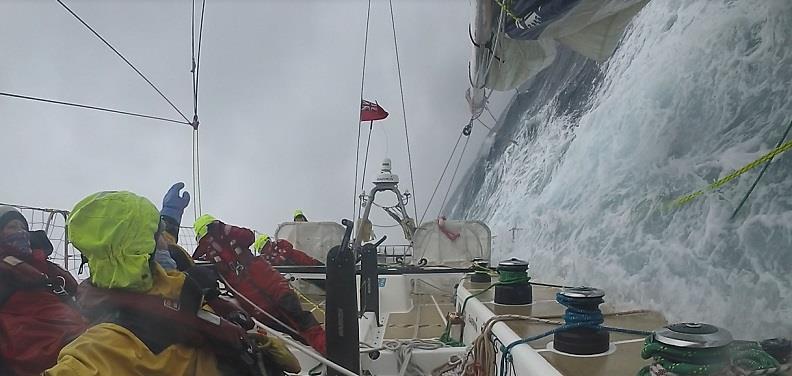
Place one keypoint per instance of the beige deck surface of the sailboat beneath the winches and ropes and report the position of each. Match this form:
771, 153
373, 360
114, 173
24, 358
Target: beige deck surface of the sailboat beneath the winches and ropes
425, 319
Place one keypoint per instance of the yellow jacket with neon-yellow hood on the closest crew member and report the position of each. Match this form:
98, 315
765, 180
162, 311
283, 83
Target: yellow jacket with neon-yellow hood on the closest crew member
115, 231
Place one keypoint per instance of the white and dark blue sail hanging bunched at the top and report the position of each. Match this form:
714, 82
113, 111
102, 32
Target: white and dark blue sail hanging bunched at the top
512, 45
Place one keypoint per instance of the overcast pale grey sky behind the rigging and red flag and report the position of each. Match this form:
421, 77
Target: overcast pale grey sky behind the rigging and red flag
279, 95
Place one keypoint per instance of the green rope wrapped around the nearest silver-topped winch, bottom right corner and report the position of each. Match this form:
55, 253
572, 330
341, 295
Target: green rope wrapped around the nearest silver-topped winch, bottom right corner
690, 361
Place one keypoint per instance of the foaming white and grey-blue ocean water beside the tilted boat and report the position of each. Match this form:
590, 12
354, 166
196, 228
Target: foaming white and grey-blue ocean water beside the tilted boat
696, 89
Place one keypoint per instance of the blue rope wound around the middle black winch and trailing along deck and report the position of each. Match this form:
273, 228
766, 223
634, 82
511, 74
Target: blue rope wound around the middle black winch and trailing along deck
574, 317
